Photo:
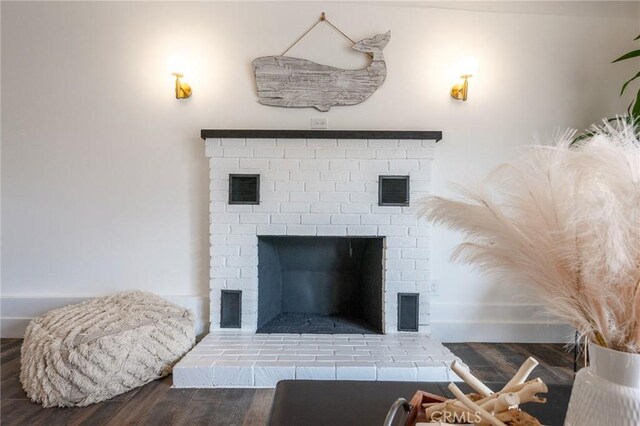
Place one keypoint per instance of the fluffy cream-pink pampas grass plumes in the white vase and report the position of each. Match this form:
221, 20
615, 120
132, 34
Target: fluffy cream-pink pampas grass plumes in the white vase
565, 221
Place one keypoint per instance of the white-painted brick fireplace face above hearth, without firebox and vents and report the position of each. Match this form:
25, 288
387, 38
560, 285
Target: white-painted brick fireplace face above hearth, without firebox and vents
319, 187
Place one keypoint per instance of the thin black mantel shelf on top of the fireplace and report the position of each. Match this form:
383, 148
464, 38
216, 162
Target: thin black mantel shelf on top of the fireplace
321, 134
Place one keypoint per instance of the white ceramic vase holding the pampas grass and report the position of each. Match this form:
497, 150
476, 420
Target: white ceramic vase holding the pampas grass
608, 391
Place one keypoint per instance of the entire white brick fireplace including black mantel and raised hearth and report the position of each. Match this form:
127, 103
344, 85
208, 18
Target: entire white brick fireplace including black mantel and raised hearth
317, 184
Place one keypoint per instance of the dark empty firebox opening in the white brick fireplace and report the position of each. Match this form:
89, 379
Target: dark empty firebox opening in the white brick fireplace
322, 285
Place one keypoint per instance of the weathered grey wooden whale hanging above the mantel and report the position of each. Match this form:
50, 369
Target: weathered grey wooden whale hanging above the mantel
290, 82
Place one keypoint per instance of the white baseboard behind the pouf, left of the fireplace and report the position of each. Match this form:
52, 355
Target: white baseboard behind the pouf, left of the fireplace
18, 311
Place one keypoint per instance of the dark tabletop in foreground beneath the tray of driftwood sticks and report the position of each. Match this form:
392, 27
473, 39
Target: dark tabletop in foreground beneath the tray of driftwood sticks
354, 403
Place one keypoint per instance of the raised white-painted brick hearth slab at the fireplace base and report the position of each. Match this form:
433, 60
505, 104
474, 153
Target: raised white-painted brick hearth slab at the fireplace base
236, 359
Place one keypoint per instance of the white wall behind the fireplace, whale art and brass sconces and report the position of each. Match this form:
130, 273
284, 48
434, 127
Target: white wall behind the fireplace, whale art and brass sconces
104, 178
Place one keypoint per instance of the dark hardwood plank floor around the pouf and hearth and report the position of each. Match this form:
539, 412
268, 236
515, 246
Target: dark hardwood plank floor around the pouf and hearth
157, 404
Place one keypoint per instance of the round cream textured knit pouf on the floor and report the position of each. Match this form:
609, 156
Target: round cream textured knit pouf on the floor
86, 353
